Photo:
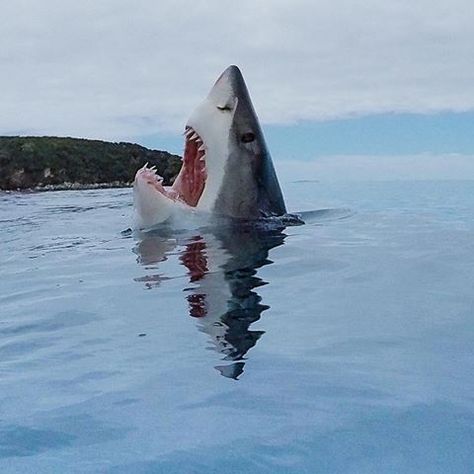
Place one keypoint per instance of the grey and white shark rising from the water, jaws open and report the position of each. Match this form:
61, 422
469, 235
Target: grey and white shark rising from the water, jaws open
227, 169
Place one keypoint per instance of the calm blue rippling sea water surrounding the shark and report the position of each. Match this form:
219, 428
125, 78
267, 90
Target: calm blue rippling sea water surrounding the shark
342, 346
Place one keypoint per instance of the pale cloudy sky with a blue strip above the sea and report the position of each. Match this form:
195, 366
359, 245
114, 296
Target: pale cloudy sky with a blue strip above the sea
386, 78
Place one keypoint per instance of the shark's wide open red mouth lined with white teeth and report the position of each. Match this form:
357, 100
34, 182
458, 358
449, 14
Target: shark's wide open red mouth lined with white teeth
189, 184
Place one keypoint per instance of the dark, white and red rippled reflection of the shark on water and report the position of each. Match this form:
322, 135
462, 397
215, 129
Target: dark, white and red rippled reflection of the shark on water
221, 266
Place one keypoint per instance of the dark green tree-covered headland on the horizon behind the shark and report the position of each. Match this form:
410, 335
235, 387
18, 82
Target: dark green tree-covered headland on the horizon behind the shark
30, 162
